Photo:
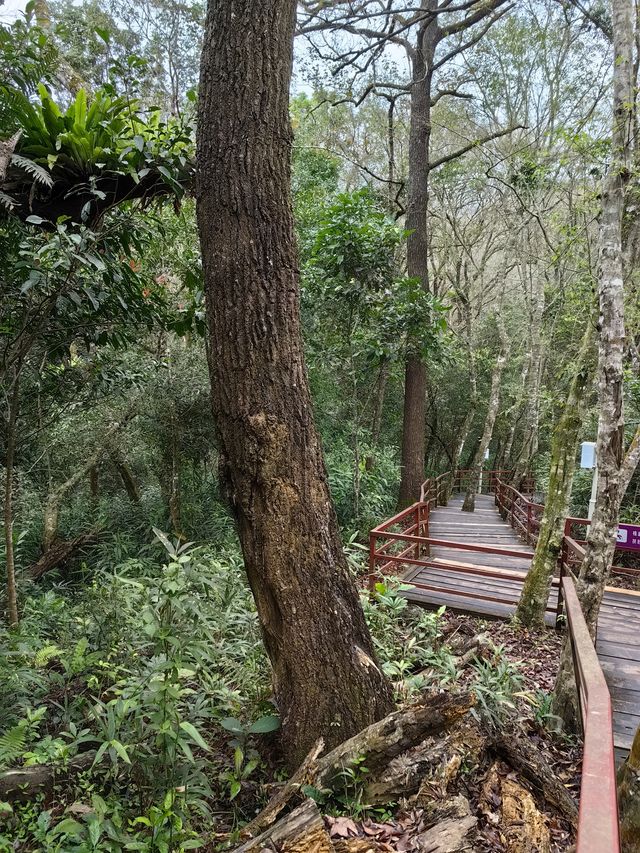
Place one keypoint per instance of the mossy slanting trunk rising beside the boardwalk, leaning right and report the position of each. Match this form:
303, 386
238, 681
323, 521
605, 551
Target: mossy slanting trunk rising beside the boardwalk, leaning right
535, 592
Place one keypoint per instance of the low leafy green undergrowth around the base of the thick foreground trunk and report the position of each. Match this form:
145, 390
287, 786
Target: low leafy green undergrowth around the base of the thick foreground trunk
154, 668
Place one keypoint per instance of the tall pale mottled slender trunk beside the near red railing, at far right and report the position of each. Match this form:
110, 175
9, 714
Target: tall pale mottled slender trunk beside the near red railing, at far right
601, 538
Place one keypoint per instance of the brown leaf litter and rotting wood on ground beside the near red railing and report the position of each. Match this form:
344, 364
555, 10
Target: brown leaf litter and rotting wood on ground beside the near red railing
482, 803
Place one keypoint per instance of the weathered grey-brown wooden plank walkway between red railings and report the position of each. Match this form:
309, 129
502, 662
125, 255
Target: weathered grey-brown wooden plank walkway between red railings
461, 585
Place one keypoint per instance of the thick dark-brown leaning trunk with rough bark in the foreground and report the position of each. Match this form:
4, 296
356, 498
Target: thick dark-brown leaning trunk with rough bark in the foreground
326, 679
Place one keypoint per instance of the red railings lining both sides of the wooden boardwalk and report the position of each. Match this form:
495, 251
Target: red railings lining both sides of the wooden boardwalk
406, 541
